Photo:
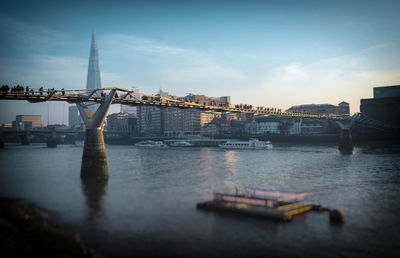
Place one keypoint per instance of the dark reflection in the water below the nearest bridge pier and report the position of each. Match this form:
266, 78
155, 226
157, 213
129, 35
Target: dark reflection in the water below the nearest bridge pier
94, 191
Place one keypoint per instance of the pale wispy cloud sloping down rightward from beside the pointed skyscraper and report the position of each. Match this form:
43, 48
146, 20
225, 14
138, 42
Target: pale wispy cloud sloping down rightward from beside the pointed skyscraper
151, 62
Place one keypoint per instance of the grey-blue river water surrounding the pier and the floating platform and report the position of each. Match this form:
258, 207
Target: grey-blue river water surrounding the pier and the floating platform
148, 205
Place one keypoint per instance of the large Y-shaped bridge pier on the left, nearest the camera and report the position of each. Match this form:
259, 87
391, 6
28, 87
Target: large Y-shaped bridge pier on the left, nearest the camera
94, 161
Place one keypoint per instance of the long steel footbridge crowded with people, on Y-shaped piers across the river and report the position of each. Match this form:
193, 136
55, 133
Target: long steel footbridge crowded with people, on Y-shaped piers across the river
94, 162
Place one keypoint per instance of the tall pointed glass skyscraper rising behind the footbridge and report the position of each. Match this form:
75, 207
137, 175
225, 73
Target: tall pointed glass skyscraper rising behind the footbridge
93, 77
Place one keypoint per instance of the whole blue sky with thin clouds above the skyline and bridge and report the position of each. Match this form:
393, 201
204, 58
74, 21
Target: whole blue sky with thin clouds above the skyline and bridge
270, 53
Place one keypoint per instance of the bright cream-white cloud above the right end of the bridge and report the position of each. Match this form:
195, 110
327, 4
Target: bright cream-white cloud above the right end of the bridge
349, 77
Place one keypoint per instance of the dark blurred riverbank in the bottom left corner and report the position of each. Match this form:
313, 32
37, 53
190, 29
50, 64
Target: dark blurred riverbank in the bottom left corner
26, 230
